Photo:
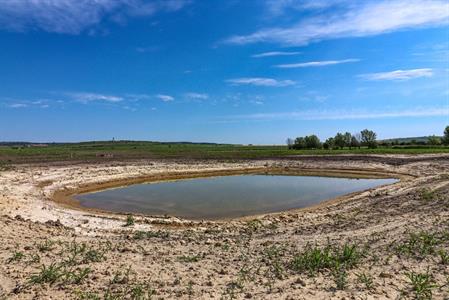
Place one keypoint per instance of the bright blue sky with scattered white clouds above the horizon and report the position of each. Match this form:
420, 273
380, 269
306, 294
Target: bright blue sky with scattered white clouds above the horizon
248, 71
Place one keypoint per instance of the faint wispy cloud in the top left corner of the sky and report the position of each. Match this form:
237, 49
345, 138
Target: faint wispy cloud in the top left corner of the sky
73, 17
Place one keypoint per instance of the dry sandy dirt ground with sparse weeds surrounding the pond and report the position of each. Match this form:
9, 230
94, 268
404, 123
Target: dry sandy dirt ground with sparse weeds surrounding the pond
388, 242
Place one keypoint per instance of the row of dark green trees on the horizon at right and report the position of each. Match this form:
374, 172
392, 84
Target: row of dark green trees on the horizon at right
364, 138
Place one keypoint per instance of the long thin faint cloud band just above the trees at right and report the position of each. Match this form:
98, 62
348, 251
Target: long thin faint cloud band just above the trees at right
343, 114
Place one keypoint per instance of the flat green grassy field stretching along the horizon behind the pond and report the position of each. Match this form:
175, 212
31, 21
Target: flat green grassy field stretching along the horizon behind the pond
98, 151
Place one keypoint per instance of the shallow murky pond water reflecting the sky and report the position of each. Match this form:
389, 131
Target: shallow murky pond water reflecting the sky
225, 197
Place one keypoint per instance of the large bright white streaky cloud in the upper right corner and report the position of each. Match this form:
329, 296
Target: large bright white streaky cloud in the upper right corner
364, 18
